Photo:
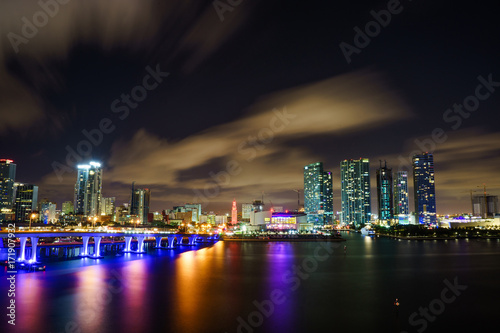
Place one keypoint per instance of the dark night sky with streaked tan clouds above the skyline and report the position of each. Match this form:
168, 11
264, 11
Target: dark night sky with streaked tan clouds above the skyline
251, 98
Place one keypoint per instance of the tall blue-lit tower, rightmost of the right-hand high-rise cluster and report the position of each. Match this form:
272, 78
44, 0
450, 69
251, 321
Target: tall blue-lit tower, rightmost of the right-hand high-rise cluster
424, 188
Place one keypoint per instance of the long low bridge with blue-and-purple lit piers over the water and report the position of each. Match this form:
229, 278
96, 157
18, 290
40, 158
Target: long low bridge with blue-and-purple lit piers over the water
173, 240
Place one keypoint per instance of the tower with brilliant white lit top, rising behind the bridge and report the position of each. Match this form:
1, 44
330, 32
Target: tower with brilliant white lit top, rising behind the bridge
88, 189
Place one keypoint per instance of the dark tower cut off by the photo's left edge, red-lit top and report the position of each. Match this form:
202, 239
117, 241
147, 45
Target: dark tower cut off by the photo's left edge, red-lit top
7, 178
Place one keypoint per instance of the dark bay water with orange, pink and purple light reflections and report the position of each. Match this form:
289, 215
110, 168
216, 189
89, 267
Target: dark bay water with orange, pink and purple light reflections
229, 286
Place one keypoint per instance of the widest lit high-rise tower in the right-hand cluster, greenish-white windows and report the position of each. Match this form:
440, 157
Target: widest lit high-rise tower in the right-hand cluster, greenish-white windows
355, 191
